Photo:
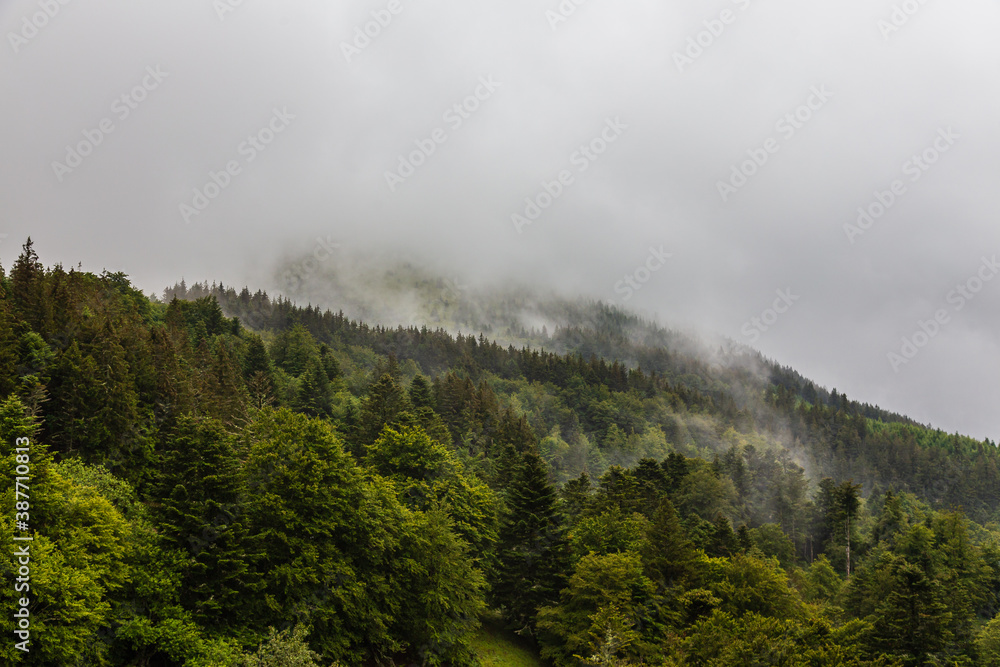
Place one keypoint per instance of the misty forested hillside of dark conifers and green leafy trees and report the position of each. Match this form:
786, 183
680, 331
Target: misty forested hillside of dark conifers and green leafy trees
222, 478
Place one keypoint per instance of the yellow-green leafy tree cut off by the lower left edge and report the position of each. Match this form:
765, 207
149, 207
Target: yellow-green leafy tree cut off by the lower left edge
79, 542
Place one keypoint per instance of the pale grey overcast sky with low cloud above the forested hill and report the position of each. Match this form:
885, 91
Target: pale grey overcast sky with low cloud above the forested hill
114, 113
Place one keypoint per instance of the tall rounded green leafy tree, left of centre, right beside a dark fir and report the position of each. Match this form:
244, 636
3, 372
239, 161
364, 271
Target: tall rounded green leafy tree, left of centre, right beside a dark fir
328, 539
